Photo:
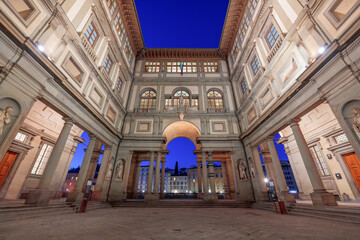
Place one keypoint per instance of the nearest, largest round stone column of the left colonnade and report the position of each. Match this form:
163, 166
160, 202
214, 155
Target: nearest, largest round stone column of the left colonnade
42, 194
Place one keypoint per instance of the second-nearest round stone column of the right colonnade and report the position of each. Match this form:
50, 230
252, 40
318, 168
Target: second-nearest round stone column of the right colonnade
284, 193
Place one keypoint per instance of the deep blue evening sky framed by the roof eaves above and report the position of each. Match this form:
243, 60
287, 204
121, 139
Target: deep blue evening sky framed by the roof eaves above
181, 24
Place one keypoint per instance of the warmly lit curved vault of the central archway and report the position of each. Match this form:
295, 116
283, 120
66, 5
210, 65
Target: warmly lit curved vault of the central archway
182, 129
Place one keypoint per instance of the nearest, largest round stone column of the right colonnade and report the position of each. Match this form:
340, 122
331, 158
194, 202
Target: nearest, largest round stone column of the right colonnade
320, 197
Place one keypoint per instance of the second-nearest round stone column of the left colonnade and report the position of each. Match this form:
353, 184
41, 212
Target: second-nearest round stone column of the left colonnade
77, 195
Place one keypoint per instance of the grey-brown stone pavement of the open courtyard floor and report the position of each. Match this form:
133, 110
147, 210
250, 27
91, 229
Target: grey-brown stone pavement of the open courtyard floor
176, 223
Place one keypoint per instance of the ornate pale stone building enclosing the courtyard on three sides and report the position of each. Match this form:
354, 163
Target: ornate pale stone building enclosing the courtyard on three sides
281, 66
